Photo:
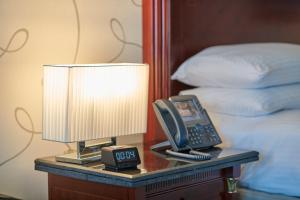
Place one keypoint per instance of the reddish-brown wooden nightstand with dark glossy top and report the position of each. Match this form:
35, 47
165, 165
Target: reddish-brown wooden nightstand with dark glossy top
158, 177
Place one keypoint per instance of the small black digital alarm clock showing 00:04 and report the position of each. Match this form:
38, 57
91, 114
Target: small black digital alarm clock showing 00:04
118, 158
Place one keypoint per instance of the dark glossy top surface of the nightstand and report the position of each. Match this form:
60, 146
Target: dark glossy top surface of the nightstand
154, 167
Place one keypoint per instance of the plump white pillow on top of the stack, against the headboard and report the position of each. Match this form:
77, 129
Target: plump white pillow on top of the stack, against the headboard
254, 65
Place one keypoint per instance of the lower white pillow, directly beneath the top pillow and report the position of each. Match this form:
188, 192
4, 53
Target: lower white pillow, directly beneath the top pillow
248, 102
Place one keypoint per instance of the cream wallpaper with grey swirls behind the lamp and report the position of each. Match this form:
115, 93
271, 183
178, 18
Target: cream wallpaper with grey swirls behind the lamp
37, 32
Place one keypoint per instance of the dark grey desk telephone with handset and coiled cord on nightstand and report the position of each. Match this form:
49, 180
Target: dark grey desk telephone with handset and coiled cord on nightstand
187, 126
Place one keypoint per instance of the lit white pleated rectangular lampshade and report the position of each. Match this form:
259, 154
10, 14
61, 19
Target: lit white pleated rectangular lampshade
92, 101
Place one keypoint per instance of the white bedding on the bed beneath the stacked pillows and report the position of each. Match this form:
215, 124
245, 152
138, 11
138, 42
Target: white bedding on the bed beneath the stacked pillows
277, 138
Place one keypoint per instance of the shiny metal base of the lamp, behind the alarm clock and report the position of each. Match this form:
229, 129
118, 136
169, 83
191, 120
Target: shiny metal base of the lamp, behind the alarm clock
85, 153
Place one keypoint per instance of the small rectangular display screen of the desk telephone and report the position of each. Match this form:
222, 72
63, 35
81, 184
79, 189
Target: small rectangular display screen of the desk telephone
187, 110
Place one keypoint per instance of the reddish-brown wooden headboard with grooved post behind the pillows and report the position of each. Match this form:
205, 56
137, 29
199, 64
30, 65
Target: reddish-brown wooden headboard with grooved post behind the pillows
174, 30
